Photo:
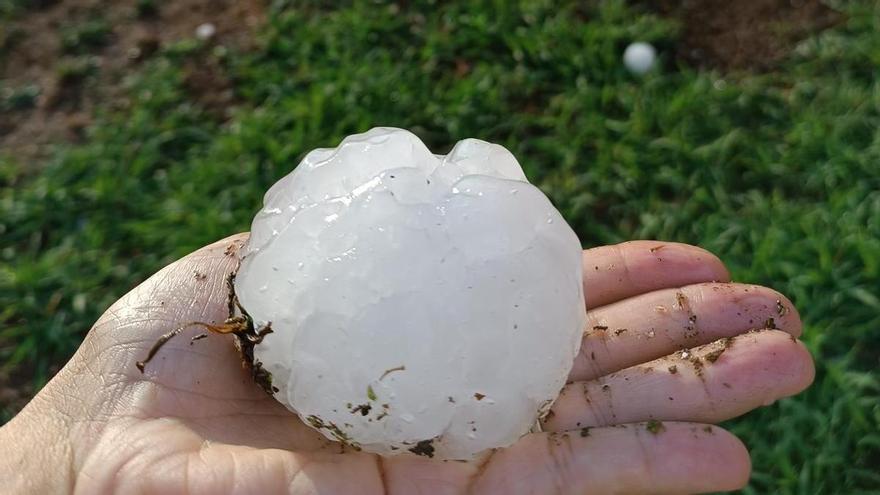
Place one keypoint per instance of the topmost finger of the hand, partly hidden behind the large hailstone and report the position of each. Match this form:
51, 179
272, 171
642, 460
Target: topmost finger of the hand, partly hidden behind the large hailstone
614, 273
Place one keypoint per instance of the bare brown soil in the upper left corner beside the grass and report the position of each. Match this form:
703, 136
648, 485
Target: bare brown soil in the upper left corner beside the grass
69, 81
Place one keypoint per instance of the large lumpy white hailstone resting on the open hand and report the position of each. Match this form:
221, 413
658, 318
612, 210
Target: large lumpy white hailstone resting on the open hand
419, 302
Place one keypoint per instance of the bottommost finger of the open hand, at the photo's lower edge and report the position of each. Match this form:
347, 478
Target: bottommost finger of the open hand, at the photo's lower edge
643, 458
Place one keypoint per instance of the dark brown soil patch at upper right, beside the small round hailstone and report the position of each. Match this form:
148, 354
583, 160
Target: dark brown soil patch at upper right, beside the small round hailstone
743, 35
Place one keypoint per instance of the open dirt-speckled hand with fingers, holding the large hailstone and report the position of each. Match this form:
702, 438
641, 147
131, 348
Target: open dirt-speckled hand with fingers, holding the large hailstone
196, 423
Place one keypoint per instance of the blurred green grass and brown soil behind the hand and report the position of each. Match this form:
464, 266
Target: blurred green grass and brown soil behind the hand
134, 131
